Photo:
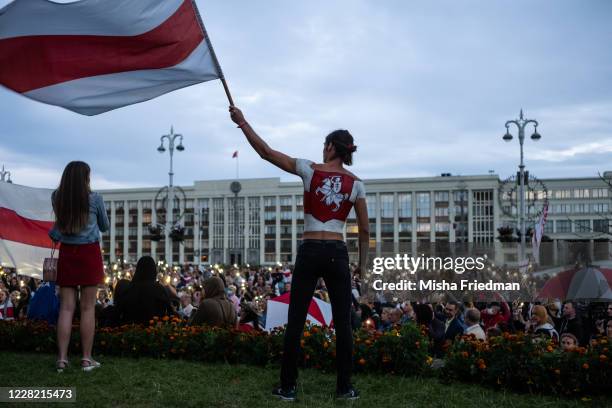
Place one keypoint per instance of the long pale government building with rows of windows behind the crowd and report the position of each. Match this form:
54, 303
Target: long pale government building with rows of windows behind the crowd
407, 215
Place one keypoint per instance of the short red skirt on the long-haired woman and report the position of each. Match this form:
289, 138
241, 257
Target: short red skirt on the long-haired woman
80, 265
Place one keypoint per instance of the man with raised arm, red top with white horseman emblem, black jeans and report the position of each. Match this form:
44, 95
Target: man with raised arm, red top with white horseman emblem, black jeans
330, 192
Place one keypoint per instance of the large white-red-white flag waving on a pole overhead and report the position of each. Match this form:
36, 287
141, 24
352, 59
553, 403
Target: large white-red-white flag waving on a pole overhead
92, 56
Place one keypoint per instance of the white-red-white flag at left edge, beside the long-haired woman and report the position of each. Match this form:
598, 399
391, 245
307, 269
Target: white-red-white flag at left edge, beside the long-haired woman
26, 216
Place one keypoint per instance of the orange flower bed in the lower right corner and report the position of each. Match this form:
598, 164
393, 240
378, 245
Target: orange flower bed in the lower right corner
515, 362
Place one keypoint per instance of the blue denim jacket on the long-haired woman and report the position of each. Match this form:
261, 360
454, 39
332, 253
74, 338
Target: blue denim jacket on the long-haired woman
98, 222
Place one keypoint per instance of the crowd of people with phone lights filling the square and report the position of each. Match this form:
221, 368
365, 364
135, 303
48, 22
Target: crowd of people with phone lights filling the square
237, 297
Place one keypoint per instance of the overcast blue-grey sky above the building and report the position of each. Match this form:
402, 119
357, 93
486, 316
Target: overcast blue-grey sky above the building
425, 87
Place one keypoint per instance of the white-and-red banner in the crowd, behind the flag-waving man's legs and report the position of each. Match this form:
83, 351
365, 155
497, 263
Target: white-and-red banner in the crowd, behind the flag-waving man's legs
319, 312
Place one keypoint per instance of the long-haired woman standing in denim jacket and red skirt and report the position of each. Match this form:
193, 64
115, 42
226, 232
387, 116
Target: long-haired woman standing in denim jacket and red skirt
80, 216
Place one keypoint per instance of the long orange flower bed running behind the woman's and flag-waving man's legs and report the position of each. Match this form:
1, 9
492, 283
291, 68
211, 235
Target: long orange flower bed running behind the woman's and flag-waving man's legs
402, 351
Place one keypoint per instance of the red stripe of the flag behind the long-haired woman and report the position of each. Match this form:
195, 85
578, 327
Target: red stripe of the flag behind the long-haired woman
14, 227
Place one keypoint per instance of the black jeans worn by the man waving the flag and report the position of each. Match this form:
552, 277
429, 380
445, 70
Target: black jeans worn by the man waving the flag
327, 259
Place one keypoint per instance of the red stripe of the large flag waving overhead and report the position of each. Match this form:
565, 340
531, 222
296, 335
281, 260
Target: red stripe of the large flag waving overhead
32, 62
